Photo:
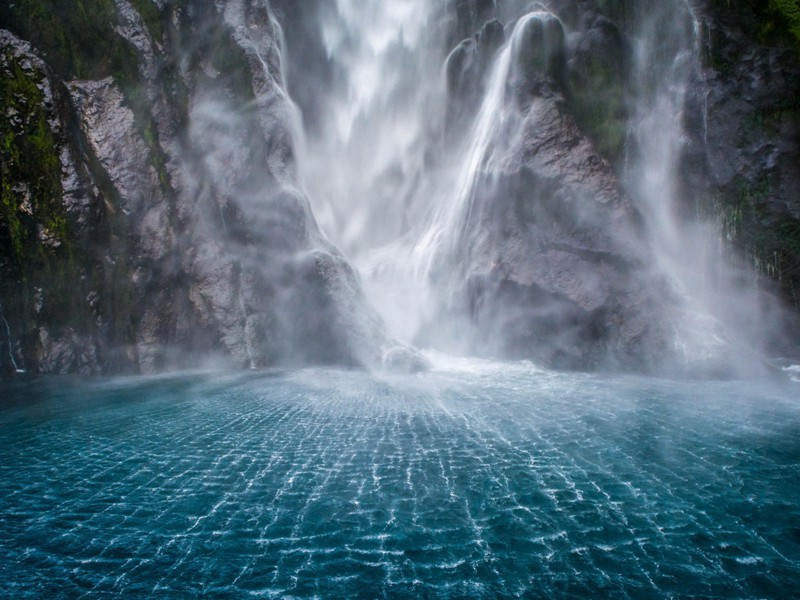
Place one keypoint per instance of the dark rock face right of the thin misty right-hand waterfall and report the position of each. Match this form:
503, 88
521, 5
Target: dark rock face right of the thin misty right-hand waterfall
745, 151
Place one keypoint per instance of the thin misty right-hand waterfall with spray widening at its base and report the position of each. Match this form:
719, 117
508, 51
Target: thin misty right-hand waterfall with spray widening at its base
722, 310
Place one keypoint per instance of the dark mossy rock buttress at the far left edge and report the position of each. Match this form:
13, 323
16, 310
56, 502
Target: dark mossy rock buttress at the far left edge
47, 194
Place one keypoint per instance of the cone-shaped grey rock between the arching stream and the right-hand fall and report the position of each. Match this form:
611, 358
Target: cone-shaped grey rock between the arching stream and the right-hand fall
552, 272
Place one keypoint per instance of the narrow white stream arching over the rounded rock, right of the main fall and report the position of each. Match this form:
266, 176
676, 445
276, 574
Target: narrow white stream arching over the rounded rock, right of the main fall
411, 275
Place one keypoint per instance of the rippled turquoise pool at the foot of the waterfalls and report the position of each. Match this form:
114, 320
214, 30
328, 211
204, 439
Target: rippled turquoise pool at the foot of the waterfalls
474, 481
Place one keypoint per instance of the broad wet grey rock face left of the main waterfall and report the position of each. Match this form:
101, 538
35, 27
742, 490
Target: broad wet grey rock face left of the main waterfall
174, 217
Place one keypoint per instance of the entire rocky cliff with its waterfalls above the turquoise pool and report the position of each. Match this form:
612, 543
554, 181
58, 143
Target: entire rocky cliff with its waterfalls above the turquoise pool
587, 184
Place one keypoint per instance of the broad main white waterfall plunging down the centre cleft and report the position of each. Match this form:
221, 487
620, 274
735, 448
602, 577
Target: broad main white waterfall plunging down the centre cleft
370, 168
